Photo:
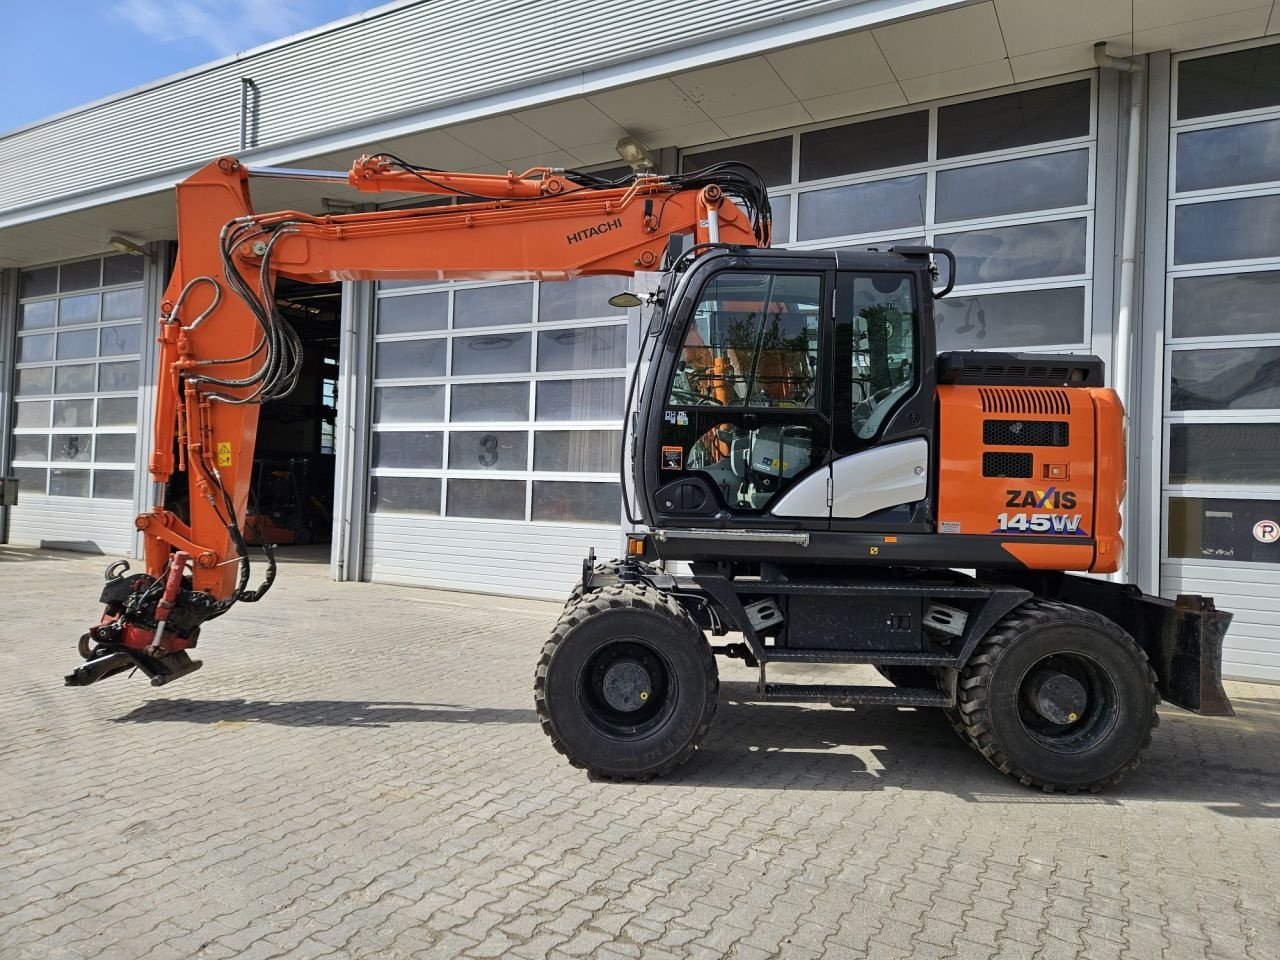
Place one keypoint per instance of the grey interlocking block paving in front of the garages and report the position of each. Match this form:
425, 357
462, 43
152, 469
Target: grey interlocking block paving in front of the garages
358, 772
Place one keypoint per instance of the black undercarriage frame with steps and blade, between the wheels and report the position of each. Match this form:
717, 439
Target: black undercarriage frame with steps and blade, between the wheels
885, 618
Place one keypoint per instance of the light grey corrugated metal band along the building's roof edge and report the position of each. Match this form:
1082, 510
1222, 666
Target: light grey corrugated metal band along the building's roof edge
396, 62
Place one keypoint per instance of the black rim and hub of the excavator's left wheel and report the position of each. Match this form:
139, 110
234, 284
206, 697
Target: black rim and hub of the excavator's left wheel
628, 689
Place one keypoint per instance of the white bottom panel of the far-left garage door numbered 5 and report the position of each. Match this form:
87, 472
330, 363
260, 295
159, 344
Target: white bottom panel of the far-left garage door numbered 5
74, 524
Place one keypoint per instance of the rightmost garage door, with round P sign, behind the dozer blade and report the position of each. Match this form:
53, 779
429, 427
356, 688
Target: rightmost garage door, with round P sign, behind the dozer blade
1222, 492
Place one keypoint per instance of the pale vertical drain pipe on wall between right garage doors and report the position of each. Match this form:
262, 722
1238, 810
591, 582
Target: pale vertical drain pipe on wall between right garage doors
1122, 368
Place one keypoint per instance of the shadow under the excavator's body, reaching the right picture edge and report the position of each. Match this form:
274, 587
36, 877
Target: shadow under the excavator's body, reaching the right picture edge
1228, 764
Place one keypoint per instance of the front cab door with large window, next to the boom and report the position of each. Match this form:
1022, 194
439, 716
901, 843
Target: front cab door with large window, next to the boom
747, 409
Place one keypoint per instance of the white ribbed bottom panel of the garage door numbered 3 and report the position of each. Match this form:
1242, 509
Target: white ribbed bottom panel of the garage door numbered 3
541, 561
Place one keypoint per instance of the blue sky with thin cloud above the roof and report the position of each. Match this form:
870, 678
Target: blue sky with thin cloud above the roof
61, 54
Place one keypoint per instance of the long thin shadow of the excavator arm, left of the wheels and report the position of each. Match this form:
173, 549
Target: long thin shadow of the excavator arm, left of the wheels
318, 714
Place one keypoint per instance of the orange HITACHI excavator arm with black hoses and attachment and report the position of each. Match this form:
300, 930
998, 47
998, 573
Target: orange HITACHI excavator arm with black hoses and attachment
225, 348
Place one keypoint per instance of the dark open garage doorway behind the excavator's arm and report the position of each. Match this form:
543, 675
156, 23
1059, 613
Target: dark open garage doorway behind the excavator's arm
291, 501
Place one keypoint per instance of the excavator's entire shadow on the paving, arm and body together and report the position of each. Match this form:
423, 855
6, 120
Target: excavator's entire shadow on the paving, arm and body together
1227, 764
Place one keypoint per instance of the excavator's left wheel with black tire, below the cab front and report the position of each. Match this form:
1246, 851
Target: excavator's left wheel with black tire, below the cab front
627, 687
